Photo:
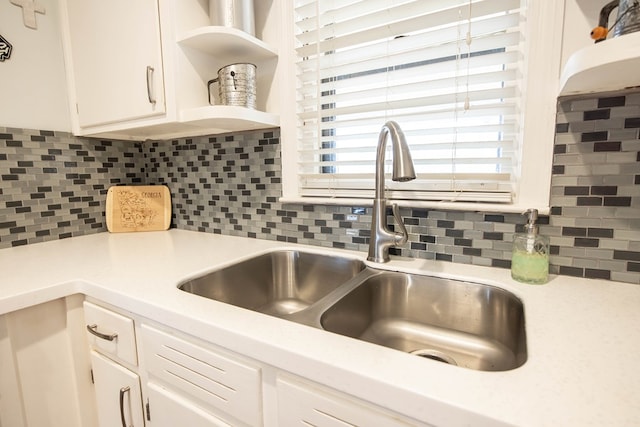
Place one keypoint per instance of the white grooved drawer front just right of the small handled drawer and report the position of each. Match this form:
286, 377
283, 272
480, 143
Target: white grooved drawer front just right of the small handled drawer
213, 379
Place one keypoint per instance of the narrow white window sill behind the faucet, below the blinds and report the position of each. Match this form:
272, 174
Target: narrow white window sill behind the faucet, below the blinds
444, 206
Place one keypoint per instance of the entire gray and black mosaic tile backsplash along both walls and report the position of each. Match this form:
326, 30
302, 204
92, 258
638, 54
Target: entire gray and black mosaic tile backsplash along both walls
54, 185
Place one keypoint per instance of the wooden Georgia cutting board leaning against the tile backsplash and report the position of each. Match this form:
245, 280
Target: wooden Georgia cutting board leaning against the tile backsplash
138, 208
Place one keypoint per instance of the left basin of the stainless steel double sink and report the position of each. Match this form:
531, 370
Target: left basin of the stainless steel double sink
276, 283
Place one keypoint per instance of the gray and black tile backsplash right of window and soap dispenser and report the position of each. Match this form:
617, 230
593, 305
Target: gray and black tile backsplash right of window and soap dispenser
595, 187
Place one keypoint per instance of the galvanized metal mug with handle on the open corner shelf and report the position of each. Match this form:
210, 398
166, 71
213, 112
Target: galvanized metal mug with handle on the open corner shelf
236, 85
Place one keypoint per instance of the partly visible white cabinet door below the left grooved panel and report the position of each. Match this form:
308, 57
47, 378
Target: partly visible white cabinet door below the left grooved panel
170, 410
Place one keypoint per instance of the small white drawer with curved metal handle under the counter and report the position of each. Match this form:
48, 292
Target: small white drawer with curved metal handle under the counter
111, 333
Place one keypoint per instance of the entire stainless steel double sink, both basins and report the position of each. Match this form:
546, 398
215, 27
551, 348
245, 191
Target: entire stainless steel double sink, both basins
461, 323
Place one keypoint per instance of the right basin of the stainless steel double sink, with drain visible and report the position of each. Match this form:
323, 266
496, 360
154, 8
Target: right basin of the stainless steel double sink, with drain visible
467, 324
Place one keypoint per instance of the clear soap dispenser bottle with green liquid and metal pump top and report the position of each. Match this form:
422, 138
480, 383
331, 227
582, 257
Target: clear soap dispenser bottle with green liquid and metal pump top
530, 255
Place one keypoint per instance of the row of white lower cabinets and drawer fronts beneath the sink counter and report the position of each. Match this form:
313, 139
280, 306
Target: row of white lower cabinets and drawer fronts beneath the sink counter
179, 380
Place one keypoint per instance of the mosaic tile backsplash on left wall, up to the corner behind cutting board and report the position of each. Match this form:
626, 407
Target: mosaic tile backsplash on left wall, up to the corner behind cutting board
53, 185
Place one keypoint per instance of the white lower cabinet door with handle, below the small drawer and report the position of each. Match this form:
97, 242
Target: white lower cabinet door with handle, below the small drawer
118, 395
